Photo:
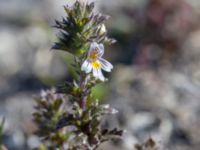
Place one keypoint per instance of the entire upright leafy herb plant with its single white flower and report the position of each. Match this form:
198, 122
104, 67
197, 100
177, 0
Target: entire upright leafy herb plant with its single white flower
69, 117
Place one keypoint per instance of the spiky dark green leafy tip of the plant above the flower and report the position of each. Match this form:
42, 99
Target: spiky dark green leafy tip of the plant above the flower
80, 27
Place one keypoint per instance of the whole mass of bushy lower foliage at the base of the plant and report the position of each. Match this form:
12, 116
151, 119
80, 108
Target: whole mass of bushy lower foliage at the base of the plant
52, 117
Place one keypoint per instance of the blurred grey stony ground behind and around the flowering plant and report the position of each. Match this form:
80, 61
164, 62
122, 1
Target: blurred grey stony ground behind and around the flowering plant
155, 84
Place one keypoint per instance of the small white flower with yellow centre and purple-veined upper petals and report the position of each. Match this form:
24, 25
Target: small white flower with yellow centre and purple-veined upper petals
94, 62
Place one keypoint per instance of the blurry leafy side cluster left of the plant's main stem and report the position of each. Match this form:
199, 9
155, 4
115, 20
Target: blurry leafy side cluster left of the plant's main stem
50, 109
